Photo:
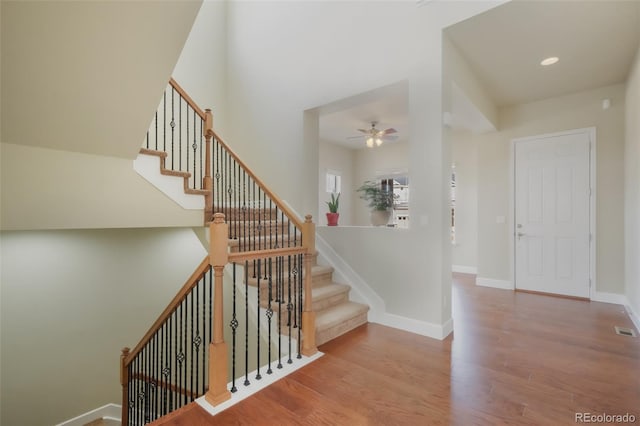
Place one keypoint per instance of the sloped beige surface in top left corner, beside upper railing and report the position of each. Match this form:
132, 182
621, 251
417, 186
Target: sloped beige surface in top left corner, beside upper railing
87, 76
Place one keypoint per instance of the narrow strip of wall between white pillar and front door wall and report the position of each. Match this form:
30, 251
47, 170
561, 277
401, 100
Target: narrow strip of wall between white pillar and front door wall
465, 156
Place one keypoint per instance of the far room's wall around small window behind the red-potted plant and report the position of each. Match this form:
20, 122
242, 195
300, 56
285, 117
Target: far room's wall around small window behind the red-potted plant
337, 158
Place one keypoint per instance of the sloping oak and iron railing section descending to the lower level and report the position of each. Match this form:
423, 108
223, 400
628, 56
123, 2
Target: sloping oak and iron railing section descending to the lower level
169, 367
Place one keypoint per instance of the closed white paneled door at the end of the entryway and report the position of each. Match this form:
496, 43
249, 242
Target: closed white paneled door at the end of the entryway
552, 199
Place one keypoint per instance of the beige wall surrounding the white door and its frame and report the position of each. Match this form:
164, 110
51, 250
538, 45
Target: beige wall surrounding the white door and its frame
574, 111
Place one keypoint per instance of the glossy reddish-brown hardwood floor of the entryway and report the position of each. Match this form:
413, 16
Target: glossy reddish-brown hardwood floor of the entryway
514, 359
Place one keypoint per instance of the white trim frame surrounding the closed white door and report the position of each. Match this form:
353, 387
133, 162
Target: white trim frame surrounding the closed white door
591, 132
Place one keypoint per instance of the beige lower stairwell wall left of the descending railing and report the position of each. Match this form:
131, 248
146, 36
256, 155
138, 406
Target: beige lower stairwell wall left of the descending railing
71, 300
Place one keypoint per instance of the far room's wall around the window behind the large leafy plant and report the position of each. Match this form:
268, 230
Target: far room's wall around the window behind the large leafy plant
370, 164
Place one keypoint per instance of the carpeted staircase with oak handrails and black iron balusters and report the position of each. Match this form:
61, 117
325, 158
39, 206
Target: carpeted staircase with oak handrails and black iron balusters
185, 355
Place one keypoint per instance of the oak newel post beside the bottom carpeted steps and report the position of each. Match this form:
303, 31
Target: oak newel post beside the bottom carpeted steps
308, 316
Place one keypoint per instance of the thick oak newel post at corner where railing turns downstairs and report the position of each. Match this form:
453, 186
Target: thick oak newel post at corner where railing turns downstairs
218, 365
